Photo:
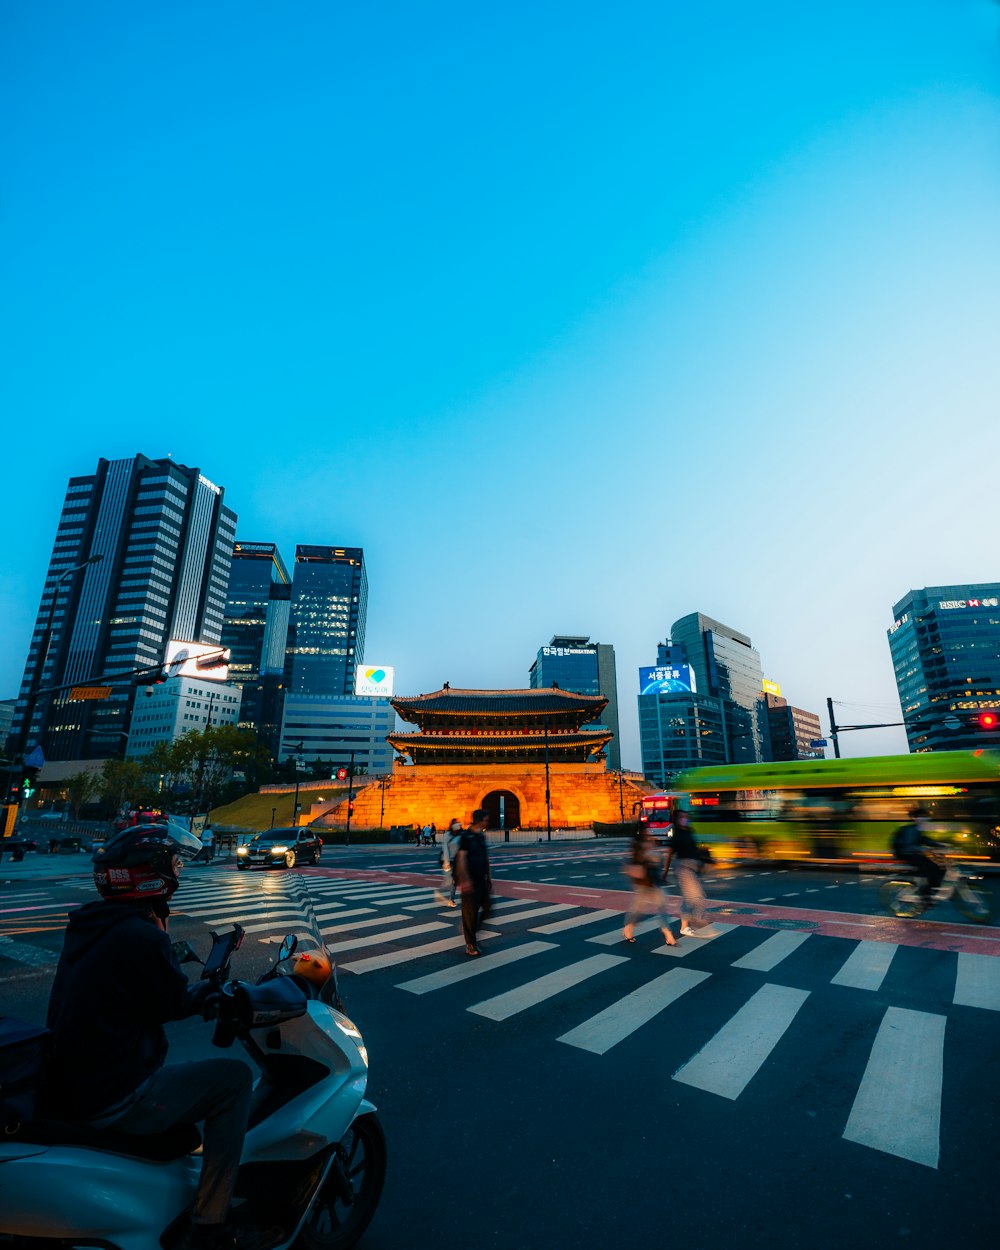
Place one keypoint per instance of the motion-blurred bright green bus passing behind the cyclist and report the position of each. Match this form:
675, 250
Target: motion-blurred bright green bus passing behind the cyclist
828, 812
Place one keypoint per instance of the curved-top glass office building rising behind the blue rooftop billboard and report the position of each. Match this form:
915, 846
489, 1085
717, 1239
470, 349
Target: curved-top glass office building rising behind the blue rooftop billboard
727, 668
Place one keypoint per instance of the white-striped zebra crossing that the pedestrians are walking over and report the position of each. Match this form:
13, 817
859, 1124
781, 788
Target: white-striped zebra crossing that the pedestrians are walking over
384, 928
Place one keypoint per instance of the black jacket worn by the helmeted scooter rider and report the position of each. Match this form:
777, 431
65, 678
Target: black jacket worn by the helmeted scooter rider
116, 986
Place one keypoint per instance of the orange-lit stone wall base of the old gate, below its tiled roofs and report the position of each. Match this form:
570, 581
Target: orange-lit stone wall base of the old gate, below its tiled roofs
437, 794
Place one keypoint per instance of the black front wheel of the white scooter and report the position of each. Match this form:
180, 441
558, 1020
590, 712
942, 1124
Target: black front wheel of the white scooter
334, 1224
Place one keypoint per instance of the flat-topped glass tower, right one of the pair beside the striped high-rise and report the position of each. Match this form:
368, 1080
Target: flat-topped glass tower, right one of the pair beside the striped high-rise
327, 626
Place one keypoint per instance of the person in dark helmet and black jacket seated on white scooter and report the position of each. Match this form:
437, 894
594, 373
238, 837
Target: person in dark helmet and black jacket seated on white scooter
118, 982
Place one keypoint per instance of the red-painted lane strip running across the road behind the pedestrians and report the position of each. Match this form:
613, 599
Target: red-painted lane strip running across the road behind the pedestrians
929, 934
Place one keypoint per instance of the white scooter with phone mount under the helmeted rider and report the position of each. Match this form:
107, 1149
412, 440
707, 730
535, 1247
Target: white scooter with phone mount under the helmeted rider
314, 1158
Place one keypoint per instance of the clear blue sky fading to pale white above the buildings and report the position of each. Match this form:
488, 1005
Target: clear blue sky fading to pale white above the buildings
578, 318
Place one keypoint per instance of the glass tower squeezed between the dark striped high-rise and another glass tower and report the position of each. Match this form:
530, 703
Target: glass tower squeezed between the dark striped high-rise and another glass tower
256, 631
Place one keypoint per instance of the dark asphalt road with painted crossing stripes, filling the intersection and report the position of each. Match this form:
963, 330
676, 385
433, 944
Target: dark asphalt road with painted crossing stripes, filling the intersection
817, 1076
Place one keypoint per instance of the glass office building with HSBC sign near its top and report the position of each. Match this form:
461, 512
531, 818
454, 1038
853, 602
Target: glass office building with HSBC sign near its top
946, 648
